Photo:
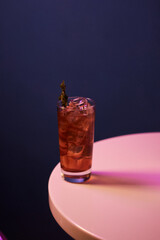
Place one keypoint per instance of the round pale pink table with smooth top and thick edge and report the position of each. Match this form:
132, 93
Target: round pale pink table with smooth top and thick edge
121, 201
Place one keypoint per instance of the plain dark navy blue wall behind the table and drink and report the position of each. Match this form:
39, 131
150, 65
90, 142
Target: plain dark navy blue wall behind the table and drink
106, 50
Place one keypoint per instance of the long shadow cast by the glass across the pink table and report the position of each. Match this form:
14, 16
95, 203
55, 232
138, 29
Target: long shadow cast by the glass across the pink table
124, 178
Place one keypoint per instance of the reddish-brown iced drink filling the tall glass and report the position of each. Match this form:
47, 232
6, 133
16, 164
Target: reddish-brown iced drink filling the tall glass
76, 135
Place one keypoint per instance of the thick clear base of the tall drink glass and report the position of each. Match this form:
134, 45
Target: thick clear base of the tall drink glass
76, 177
